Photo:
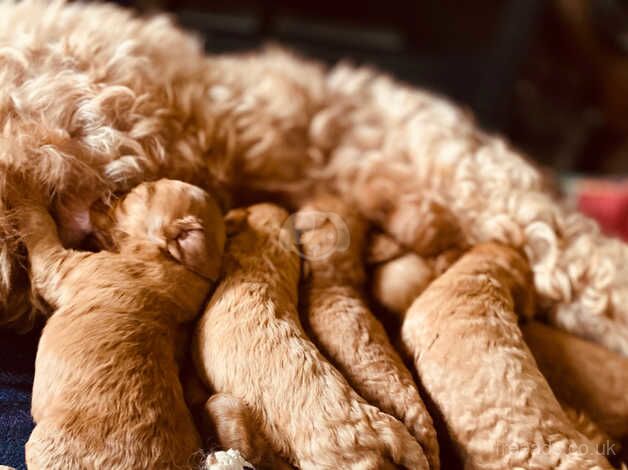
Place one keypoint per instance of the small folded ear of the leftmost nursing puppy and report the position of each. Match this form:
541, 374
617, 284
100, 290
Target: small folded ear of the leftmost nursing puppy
190, 244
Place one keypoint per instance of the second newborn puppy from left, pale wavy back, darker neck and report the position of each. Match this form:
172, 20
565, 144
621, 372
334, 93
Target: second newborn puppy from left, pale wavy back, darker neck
250, 344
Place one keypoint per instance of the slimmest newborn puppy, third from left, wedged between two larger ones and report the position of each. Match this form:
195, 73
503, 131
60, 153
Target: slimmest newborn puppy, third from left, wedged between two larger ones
338, 319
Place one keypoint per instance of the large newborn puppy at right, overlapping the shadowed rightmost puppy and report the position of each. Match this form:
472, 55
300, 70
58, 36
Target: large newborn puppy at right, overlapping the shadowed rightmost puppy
470, 355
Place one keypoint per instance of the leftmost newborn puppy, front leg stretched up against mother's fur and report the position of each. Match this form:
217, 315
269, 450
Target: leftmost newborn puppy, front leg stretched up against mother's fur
106, 392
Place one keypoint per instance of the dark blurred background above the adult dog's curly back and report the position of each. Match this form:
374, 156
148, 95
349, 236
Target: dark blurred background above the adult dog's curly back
552, 75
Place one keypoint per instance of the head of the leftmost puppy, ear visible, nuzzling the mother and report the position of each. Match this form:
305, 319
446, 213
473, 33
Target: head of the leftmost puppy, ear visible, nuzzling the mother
180, 219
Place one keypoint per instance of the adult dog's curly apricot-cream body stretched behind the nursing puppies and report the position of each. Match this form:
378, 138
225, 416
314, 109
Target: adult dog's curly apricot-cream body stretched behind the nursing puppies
94, 100
